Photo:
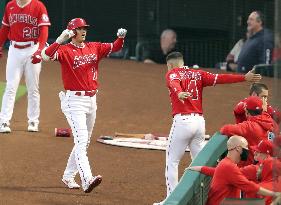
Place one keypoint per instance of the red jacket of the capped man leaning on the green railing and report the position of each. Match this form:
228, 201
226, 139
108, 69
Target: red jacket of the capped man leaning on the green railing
254, 129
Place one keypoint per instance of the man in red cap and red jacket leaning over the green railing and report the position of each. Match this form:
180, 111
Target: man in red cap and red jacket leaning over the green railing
257, 127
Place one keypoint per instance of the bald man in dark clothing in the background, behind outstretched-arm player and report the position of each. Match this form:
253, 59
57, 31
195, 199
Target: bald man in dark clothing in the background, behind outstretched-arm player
158, 54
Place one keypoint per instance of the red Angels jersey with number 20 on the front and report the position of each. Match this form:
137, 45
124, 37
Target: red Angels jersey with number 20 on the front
24, 22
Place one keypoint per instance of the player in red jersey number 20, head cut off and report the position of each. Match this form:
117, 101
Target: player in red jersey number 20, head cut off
25, 23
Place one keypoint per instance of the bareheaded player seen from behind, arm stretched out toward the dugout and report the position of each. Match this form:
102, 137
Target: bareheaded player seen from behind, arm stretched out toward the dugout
188, 128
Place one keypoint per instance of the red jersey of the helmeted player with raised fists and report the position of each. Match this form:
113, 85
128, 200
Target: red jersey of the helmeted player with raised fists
79, 65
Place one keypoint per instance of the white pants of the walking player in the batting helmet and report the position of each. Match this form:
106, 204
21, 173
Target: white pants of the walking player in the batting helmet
80, 112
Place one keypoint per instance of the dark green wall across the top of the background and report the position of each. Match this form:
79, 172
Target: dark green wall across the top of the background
146, 18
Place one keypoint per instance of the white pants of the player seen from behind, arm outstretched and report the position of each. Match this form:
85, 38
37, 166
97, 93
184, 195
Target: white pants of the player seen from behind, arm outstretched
186, 131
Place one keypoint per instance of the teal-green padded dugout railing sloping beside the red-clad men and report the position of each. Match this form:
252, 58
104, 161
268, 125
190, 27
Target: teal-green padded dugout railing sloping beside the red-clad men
193, 186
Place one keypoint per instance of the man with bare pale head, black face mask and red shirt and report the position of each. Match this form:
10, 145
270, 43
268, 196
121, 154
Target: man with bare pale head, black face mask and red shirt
229, 185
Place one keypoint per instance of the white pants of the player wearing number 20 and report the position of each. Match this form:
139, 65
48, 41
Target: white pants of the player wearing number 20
19, 63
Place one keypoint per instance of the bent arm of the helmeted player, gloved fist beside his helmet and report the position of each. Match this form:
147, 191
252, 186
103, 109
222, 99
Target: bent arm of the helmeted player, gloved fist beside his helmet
50, 51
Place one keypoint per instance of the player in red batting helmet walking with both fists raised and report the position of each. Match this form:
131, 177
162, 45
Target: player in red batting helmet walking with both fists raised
79, 65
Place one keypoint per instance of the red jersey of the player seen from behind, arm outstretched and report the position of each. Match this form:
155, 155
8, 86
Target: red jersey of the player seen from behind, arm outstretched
193, 81
